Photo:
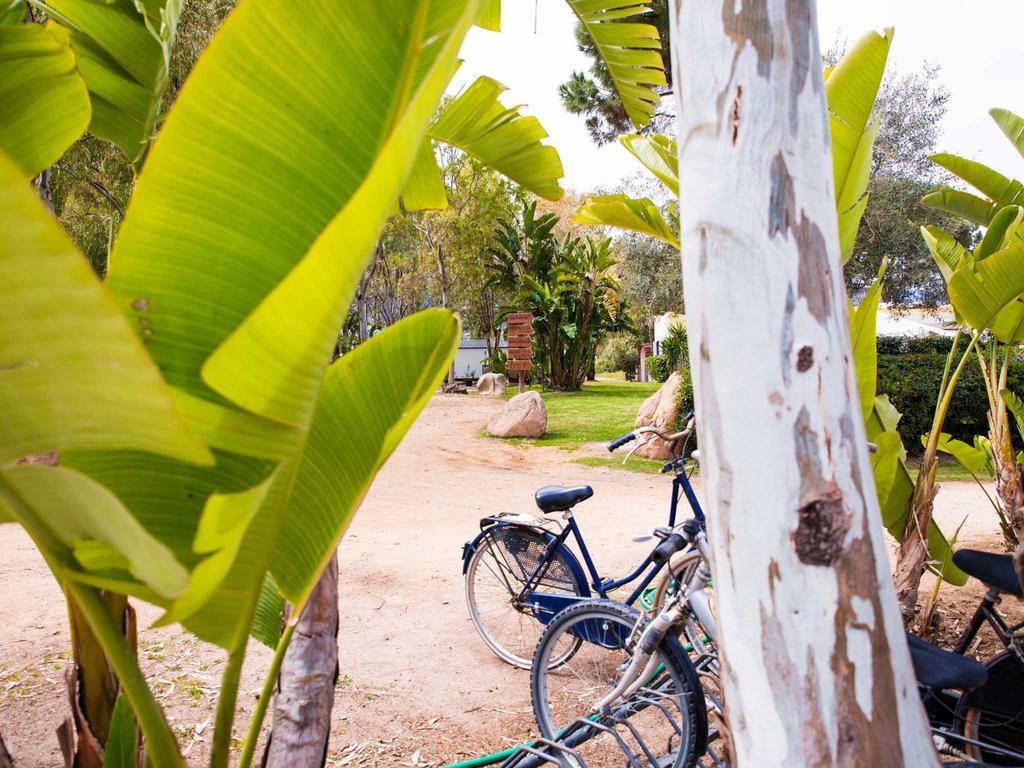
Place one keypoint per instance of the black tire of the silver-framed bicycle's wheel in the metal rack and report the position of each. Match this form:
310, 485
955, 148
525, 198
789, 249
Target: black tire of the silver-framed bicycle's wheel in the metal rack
686, 691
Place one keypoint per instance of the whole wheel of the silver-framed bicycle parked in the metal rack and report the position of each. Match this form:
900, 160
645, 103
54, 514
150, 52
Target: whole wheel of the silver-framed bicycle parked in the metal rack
664, 724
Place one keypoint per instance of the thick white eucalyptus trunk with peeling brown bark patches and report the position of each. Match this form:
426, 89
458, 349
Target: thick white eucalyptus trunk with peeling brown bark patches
816, 667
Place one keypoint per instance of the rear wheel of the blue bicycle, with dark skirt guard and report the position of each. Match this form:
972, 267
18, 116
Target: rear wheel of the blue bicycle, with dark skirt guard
497, 574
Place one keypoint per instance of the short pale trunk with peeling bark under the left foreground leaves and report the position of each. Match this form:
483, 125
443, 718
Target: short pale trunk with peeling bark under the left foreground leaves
305, 696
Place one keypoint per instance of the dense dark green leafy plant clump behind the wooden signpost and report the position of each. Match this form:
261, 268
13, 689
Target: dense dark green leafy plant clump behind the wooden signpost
569, 286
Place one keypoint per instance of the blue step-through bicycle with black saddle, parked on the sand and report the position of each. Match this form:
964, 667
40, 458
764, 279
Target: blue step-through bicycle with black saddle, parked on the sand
521, 572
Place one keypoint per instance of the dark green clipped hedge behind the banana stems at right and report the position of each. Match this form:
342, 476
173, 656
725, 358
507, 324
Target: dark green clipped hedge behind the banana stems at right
912, 381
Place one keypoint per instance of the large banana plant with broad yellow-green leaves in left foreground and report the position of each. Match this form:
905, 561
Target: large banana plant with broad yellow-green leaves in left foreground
210, 458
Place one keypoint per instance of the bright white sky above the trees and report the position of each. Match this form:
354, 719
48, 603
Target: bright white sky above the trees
977, 45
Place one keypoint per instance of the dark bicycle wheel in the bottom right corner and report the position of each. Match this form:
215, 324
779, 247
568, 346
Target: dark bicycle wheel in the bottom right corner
994, 714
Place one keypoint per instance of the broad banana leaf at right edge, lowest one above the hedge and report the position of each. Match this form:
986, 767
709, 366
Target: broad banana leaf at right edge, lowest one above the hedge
992, 295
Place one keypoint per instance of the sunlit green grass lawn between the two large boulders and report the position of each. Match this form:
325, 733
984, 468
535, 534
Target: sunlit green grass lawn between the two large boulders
599, 413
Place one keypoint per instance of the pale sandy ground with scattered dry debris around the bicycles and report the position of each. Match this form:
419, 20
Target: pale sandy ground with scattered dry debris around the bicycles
418, 688
